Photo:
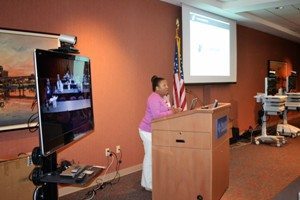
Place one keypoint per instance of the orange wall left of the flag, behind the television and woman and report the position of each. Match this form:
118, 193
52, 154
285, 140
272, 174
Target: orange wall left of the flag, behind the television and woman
128, 41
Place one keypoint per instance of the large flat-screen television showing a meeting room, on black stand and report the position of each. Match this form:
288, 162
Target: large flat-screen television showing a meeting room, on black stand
64, 96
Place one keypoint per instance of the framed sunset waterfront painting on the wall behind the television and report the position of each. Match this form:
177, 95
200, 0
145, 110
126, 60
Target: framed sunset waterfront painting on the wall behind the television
17, 79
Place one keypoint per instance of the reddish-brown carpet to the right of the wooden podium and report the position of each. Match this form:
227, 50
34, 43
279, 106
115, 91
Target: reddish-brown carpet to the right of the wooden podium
260, 172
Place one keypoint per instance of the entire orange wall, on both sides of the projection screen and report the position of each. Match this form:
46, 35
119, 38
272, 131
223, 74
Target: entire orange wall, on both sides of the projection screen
128, 41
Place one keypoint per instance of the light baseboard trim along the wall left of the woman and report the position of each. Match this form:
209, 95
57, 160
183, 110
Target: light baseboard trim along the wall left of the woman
70, 189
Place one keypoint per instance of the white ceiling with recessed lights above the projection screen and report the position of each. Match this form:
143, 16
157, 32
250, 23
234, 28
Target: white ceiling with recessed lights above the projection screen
277, 17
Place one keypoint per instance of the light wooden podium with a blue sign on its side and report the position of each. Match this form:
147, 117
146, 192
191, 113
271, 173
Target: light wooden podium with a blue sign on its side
190, 153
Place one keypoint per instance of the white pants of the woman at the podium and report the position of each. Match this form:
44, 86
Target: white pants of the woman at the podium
146, 181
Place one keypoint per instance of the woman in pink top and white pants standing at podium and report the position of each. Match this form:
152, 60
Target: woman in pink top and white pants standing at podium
157, 106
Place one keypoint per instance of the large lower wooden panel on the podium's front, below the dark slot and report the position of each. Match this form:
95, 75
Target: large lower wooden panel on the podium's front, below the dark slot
175, 168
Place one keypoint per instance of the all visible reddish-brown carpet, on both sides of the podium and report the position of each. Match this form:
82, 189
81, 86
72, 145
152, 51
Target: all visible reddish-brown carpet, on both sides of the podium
256, 172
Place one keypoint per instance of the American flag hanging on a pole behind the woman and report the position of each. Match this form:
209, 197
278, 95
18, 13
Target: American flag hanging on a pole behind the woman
178, 85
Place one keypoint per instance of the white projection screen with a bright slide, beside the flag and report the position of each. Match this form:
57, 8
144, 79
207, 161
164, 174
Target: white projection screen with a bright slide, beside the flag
209, 47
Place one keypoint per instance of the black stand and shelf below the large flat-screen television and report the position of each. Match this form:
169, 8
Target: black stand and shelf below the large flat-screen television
49, 176
